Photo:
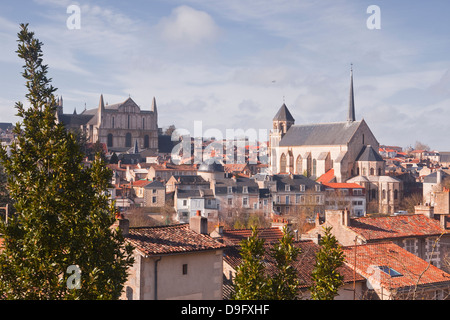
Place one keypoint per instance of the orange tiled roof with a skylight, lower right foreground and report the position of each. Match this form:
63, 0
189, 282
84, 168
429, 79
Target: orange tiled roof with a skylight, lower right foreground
412, 269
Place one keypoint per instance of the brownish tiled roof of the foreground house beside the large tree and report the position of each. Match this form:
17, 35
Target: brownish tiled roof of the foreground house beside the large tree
172, 239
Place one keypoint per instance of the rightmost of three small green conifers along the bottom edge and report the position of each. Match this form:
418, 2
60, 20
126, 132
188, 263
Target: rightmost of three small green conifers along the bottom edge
325, 276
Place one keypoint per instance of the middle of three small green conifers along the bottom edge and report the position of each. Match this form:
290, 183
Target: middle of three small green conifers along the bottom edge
284, 284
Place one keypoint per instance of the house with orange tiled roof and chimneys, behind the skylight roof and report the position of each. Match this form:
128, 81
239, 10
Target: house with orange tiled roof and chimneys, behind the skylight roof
422, 235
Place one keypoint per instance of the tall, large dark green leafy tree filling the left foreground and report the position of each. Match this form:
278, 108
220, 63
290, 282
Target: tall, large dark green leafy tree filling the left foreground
63, 215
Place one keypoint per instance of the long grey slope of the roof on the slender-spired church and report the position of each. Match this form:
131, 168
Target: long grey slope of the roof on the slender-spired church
335, 133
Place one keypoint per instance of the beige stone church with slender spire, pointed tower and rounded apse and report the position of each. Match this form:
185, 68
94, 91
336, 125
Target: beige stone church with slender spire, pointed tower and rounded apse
349, 148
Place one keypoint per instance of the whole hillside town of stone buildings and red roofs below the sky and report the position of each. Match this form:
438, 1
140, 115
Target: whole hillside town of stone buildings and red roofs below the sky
388, 206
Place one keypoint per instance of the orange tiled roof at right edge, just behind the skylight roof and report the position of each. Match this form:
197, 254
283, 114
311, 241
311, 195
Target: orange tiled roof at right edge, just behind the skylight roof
378, 228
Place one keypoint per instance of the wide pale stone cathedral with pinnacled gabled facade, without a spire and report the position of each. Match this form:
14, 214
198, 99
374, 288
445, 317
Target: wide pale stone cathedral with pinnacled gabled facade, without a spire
120, 126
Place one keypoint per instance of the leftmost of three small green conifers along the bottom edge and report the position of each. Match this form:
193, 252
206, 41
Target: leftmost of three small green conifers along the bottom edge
250, 282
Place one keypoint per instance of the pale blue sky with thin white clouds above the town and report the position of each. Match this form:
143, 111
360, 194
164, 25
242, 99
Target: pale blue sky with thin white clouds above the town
231, 64
